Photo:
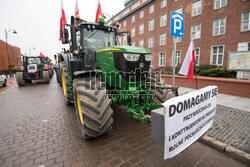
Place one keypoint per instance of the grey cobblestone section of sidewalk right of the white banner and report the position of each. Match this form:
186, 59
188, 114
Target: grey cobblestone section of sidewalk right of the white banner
232, 126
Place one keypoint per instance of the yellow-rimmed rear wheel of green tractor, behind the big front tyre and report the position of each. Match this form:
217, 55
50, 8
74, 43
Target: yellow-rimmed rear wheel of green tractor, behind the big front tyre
68, 98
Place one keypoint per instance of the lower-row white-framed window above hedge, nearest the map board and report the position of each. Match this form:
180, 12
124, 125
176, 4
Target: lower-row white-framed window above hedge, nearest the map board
217, 55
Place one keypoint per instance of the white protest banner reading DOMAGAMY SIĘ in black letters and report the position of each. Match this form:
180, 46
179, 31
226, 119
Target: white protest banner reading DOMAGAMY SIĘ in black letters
187, 118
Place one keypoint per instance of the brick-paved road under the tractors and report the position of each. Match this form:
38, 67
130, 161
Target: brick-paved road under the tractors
37, 128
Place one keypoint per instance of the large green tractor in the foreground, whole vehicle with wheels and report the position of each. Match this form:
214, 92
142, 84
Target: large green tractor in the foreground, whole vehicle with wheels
96, 73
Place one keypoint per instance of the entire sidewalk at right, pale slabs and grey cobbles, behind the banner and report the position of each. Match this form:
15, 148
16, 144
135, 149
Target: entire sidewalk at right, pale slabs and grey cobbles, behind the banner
231, 123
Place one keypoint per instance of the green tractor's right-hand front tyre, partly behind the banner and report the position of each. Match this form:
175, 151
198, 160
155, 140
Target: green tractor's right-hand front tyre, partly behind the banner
160, 95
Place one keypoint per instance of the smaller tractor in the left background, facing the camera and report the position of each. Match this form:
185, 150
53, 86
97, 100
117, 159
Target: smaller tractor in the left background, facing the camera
32, 68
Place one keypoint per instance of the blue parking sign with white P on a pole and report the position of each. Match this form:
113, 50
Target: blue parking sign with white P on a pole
177, 24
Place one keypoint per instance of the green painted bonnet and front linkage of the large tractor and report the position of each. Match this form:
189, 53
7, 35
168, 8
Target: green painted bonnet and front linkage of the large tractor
133, 95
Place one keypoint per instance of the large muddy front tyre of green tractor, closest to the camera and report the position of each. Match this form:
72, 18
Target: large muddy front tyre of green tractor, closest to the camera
93, 107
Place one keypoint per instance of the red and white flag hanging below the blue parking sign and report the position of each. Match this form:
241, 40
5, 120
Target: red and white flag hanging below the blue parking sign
187, 66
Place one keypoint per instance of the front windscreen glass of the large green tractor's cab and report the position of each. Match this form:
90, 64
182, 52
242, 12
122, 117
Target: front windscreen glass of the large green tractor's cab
95, 40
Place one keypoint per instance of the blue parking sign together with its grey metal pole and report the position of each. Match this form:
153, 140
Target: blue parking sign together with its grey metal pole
176, 30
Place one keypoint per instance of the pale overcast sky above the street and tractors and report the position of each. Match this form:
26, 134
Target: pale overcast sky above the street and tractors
37, 21
